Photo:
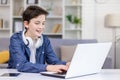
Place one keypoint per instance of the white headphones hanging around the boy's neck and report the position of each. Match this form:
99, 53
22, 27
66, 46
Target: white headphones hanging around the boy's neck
29, 42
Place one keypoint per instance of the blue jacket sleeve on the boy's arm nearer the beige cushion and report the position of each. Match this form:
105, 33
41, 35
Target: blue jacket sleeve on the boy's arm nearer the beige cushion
51, 57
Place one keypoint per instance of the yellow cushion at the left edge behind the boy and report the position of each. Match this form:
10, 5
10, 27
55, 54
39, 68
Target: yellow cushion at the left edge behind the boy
4, 56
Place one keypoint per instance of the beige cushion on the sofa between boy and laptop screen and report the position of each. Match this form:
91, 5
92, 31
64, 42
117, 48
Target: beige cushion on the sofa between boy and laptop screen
67, 52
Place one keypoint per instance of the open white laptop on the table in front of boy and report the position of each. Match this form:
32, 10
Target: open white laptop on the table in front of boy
87, 59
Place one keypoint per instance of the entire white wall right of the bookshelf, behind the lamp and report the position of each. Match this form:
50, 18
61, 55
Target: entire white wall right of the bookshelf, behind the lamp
93, 24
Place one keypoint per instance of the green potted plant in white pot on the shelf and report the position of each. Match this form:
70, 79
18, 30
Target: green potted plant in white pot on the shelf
74, 20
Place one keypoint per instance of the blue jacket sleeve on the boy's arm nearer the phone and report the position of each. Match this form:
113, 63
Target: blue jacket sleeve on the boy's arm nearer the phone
20, 61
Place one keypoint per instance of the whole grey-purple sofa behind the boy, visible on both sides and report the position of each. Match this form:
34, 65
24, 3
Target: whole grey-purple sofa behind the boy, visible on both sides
57, 43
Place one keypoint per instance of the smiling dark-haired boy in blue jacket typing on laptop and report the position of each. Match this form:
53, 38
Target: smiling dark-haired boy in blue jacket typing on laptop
29, 49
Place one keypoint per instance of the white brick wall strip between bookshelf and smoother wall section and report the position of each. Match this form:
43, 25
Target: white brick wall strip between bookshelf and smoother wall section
88, 22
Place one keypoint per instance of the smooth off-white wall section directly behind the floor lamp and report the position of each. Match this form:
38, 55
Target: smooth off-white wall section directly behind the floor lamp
103, 33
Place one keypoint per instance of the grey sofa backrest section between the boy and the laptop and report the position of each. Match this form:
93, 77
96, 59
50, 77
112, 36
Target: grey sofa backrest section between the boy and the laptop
58, 42
